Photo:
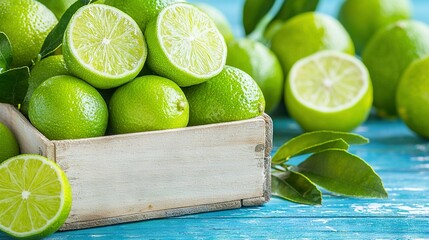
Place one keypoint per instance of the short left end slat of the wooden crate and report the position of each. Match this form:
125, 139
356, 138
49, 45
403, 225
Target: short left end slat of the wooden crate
29, 138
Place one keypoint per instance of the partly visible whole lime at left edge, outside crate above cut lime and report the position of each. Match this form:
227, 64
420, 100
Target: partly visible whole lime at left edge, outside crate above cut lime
9, 145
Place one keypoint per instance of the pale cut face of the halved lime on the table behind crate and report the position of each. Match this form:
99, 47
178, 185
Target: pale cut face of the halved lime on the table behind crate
329, 81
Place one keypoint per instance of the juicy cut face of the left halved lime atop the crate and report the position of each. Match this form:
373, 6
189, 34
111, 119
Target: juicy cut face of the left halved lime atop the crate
106, 40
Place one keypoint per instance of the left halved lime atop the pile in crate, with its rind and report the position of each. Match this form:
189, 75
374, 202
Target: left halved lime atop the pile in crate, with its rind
104, 46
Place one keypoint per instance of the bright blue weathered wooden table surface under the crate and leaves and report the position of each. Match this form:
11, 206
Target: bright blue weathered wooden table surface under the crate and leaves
399, 157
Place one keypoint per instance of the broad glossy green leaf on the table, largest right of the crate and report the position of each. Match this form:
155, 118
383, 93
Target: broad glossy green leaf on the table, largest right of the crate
341, 172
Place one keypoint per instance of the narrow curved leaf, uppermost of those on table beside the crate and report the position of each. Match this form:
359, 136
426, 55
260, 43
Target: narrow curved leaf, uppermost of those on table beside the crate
315, 141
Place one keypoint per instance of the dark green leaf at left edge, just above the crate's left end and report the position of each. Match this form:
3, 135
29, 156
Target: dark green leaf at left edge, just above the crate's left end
13, 85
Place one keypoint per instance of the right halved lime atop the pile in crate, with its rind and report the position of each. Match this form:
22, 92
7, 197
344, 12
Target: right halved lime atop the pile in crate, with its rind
185, 45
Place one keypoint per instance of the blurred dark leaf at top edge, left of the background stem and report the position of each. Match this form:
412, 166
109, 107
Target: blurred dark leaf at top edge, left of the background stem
253, 12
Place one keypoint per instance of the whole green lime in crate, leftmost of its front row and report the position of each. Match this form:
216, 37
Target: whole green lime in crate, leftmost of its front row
65, 107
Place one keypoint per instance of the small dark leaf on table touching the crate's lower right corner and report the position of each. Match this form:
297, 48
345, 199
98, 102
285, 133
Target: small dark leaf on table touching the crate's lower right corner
295, 187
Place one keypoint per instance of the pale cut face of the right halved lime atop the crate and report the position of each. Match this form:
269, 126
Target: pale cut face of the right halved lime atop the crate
191, 40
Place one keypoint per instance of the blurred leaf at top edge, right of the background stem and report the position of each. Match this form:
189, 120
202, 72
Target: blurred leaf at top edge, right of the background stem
291, 8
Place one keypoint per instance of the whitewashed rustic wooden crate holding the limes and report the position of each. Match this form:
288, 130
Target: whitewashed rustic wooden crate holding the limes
133, 177
